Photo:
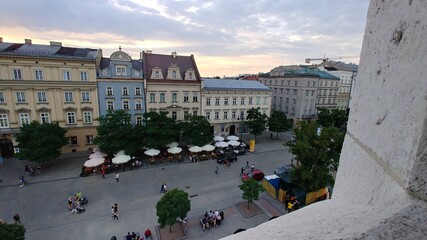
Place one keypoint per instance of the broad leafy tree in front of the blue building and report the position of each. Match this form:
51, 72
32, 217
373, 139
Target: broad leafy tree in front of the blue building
115, 132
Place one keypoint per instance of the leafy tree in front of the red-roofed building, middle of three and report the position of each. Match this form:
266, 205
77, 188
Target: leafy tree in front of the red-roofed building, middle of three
160, 129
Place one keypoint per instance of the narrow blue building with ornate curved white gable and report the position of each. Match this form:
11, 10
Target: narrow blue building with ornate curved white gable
121, 85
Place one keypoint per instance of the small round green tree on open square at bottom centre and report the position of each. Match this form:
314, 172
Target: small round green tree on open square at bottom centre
173, 204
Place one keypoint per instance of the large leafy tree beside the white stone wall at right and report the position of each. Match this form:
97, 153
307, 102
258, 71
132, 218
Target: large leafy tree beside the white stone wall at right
317, 155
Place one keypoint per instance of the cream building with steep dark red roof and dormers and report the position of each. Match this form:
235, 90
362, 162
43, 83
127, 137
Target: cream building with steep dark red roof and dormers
173, 84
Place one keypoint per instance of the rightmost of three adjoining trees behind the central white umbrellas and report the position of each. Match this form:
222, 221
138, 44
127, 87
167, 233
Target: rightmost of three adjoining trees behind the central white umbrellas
196, 130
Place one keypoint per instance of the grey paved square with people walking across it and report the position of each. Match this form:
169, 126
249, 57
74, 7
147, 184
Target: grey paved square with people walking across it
42, 203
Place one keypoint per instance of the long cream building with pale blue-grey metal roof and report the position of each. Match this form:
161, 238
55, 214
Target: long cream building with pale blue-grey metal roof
225, 103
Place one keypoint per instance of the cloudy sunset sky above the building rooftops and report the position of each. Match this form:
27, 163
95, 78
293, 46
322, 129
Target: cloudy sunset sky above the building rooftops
227, 37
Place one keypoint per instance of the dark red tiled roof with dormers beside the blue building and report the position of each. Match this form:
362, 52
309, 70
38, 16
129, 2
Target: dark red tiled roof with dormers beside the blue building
151, 60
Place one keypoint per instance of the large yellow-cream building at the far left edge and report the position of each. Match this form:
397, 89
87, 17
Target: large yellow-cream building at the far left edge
48, 83
